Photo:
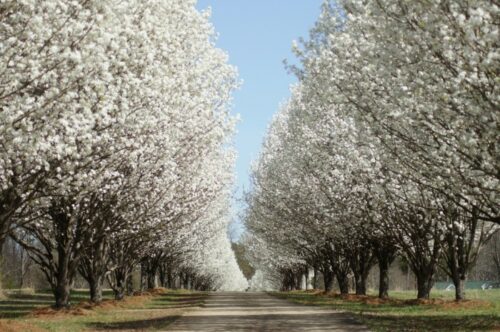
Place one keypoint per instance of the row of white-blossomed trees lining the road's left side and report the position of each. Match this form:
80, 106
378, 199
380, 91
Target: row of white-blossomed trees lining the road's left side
114, 131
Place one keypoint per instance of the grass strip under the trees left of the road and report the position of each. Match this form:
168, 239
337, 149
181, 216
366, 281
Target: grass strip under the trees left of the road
147, 312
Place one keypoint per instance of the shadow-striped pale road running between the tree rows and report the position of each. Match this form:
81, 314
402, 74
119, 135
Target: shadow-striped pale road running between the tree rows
261, 312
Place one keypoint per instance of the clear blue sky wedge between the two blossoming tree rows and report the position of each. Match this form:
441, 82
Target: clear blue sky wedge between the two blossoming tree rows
257, 35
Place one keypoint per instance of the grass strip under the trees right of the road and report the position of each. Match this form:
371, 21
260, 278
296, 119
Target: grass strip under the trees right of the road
481, 312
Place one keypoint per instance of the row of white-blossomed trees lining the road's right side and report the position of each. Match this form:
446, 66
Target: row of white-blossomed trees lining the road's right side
388, 146
